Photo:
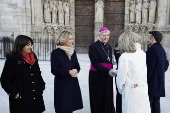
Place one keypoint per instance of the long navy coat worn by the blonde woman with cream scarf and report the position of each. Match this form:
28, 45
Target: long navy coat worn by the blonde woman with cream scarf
67, 94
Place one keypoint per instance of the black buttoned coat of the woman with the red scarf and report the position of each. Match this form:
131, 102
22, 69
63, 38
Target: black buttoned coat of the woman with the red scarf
20, 77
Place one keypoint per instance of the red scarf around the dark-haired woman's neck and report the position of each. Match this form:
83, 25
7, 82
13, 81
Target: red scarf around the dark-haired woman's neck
29, 58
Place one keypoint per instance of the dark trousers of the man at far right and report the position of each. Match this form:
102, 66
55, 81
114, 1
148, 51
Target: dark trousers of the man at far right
155, 104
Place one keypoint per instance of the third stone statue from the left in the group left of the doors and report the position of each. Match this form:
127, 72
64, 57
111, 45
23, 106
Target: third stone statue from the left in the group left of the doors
60, 13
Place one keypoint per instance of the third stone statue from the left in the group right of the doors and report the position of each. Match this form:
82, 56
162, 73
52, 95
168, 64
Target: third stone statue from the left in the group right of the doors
145, 9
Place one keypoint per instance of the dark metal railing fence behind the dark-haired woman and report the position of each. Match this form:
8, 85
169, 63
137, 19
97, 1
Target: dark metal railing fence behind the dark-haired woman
42, 47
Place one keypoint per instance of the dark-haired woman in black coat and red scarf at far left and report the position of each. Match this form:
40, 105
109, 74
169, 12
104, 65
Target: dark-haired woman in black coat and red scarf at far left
21, 78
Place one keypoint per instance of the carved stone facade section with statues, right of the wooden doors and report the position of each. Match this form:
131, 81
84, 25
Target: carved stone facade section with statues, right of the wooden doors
157, 18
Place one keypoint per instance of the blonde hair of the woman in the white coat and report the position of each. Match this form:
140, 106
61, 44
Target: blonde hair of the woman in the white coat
126, 42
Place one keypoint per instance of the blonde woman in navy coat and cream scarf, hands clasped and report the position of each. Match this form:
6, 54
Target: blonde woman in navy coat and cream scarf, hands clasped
65, 67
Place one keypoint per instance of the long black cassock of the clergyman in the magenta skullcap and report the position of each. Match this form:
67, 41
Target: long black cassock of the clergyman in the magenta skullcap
100, 82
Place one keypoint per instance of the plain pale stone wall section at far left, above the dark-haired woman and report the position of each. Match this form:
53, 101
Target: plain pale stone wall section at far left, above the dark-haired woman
15, 17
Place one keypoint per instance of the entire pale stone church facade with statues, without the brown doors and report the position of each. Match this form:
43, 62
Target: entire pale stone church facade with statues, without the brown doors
42, 18
